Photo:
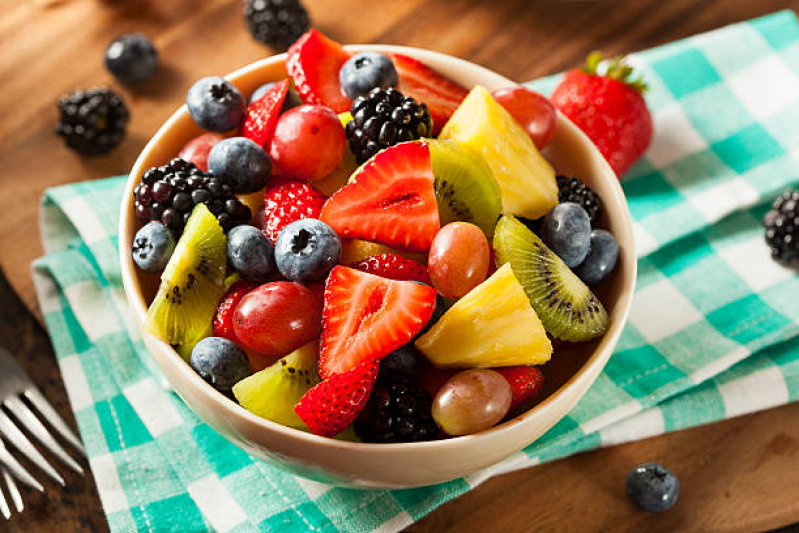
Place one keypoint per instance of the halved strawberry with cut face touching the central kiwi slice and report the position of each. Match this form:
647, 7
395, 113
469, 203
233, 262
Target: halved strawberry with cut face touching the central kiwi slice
390, 200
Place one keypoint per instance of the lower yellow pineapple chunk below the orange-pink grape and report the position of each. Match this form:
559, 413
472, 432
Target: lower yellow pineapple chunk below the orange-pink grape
494, 325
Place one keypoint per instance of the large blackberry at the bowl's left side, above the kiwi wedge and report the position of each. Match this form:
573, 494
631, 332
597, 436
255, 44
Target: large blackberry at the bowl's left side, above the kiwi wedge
169, 193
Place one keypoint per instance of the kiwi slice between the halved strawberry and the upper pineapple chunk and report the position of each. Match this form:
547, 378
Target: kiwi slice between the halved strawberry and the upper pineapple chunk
465, 186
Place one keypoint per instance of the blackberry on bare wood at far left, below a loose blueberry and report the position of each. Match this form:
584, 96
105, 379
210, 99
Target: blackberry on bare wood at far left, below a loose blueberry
93, 121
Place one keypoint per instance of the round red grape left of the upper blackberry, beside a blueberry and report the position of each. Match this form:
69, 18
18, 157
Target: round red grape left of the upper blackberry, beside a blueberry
309, 143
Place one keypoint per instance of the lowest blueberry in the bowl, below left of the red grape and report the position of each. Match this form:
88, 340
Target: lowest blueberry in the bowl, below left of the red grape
220, 362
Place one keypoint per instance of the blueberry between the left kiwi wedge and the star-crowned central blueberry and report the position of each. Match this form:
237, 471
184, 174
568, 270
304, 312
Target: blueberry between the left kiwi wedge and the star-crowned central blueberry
250, 254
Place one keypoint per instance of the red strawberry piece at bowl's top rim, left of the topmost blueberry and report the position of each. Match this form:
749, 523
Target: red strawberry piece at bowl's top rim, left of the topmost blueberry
313, 62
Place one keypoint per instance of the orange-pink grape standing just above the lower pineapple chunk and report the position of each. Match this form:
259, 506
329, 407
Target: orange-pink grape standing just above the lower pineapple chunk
458, 260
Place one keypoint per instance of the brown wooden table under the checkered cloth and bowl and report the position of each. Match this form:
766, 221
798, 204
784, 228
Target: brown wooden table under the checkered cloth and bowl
738, 475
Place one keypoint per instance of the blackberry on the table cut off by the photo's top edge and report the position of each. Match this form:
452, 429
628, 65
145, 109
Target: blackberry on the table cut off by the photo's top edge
276, 23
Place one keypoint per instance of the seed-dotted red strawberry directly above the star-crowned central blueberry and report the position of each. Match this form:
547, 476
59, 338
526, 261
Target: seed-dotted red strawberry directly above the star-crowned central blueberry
287, 202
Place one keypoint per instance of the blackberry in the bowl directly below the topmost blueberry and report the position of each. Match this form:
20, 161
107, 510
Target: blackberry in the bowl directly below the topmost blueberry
383, 118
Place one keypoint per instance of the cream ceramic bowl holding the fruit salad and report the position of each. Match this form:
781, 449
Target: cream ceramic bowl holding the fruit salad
569, 374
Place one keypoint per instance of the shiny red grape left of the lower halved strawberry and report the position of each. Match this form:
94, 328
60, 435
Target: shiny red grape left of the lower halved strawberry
277, 318
